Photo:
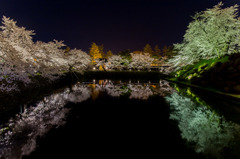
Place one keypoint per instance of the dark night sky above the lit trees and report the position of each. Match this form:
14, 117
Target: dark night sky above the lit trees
117, 24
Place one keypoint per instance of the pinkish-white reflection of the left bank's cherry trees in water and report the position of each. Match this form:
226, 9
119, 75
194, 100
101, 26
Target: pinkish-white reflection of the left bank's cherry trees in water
18, 136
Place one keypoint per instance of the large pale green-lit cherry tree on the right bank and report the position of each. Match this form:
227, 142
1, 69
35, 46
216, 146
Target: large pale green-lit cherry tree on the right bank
212, 34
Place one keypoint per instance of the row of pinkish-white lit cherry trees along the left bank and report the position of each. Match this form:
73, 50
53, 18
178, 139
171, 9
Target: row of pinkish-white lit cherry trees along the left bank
21, 58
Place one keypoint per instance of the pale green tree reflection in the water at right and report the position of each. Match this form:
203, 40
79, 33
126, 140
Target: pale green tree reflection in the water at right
209, 132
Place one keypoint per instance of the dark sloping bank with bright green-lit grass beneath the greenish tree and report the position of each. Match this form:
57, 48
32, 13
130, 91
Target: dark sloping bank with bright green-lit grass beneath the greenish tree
220, 75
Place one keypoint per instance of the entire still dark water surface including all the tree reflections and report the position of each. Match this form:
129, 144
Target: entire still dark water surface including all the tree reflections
124, 119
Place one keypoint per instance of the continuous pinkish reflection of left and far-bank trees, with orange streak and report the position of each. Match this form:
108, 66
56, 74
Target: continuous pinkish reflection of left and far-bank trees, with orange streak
18, 136
